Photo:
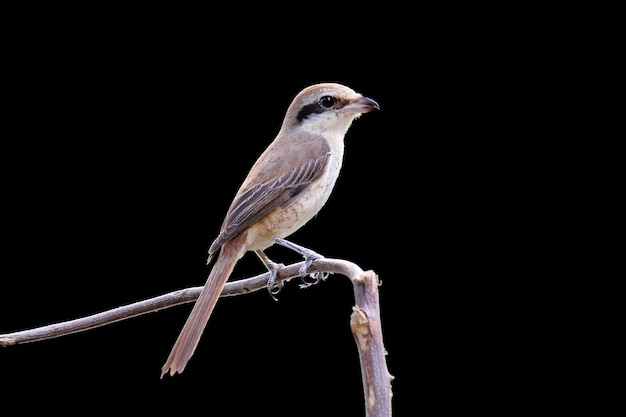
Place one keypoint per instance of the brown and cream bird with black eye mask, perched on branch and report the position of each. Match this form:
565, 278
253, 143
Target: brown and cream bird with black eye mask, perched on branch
285, 188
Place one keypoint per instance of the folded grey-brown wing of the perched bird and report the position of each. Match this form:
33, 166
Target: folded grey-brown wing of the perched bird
255, 202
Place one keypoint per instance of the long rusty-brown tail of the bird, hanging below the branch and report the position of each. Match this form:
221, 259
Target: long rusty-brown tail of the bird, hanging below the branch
192, 330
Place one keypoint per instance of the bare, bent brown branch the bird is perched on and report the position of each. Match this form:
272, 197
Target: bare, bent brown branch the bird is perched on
365, 322
